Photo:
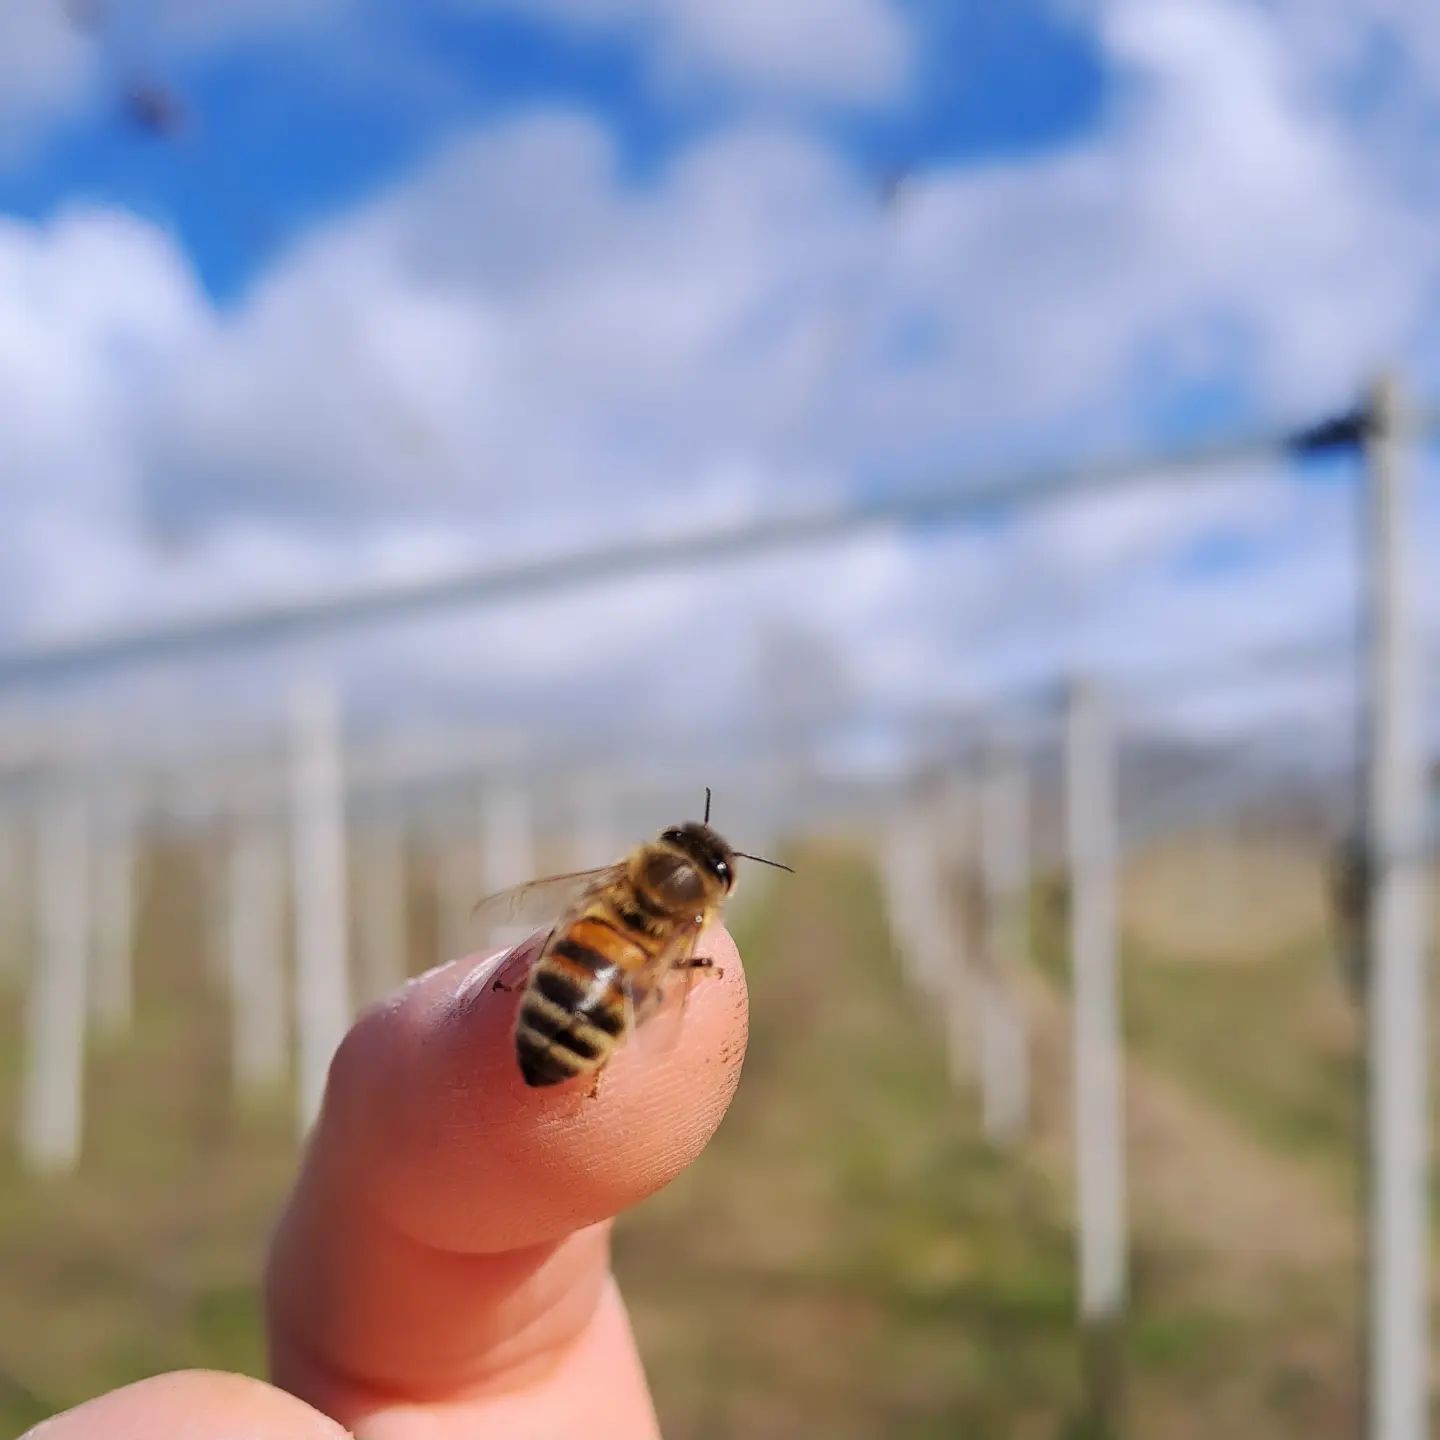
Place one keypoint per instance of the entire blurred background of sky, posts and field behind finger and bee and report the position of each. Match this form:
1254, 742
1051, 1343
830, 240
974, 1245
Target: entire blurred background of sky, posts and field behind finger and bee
981, 441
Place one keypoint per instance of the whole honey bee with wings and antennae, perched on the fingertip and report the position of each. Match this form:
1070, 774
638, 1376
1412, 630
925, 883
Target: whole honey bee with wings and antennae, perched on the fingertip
630, 927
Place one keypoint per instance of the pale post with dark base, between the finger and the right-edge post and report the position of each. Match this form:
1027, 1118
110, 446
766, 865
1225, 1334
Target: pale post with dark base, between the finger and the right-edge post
1098, 1071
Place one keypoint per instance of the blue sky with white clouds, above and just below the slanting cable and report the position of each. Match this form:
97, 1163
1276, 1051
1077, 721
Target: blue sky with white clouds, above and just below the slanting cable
413, 286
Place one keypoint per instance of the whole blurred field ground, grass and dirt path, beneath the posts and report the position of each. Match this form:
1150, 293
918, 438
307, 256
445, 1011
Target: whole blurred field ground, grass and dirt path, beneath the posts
850, 1258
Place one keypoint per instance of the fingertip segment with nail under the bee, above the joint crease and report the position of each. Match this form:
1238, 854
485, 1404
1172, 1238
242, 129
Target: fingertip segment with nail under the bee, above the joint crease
464, 1156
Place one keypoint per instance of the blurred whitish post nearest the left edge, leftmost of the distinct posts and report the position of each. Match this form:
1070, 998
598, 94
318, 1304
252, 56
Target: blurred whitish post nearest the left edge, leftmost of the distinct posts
54, 1086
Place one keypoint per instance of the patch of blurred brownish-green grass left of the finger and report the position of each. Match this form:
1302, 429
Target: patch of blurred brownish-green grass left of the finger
148, 1258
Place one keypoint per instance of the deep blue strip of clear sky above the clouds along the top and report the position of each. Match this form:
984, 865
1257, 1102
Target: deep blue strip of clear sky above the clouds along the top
280, 138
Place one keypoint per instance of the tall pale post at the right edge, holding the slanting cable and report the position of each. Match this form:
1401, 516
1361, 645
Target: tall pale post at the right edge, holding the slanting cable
1398, 1248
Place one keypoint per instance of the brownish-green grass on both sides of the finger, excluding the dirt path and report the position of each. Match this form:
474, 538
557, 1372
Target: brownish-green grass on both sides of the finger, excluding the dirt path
847, 1261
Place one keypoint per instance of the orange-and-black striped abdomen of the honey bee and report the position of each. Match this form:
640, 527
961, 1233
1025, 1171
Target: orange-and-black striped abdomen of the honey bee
574, 1009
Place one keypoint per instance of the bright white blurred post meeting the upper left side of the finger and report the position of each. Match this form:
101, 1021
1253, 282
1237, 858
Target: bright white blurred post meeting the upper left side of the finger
319, 869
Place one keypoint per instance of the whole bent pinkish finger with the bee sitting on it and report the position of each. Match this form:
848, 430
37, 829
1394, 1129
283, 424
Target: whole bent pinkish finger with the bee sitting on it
449, 1238
